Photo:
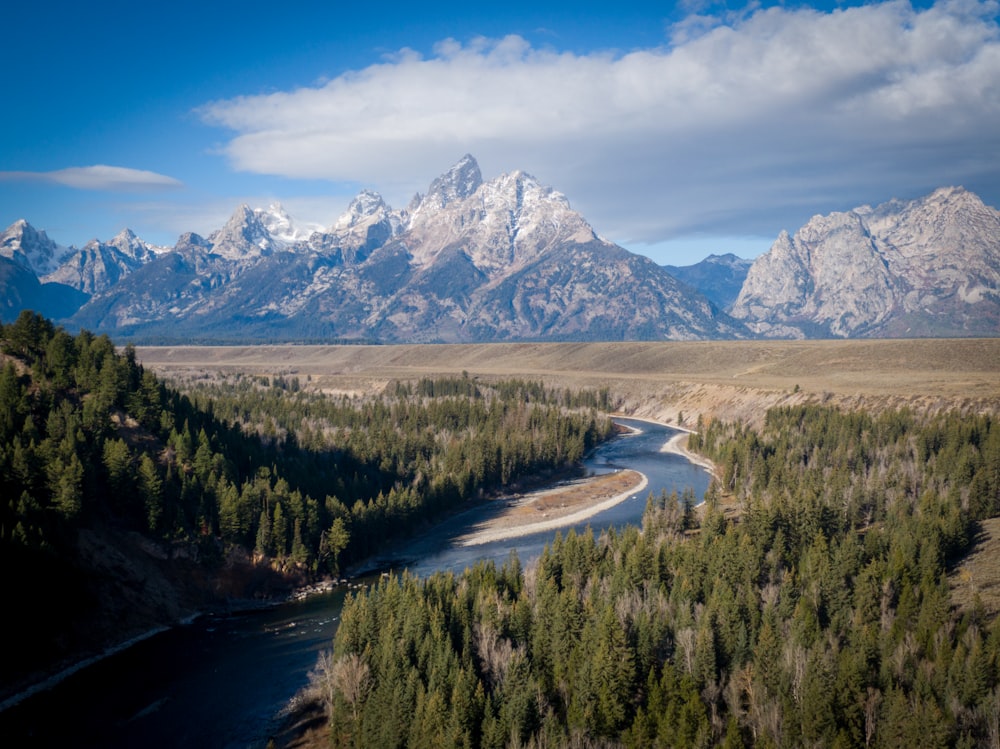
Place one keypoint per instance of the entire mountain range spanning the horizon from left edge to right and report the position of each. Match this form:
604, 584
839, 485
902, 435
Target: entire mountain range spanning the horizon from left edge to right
509, 259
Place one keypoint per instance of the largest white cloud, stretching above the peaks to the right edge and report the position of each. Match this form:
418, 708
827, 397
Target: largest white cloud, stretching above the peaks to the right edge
741, 125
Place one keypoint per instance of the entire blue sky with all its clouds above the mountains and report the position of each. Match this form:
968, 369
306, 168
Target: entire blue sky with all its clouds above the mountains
677, 130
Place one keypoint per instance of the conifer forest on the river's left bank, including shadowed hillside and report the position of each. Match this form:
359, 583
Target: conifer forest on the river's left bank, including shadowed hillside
299, 481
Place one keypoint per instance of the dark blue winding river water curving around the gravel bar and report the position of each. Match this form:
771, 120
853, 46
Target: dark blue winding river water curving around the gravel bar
221, 682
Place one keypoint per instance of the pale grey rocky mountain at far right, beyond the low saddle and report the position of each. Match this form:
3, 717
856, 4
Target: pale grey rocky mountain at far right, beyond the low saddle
925, 267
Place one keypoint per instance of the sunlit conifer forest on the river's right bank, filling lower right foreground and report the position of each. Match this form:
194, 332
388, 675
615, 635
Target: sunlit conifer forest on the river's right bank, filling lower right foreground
822, 617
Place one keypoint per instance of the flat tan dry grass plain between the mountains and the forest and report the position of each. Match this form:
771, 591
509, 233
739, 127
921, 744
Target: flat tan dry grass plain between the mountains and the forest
724, 379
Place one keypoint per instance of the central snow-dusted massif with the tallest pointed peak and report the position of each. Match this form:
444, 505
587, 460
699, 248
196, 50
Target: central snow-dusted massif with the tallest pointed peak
471, 260
